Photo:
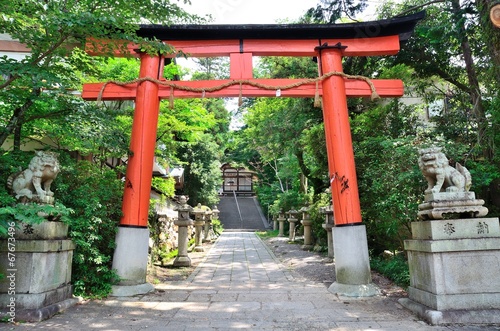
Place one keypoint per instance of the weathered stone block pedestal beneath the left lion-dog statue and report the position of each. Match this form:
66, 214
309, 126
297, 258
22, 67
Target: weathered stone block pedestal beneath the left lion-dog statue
37, 266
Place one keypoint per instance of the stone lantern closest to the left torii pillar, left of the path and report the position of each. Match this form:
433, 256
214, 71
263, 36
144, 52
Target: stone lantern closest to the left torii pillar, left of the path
183, 222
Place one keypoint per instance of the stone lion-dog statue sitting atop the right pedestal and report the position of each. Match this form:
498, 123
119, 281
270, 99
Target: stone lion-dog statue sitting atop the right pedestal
440, 176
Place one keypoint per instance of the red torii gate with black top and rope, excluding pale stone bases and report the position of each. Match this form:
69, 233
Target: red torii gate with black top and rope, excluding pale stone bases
329, 43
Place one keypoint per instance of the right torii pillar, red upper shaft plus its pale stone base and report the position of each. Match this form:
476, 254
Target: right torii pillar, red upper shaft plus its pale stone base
352, 265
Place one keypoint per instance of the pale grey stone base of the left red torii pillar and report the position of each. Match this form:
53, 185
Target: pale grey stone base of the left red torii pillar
130, 261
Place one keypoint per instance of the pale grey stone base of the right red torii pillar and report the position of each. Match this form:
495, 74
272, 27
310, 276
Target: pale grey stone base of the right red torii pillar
352, 264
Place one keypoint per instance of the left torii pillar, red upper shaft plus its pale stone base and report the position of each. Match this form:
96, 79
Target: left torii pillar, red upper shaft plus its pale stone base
133, 233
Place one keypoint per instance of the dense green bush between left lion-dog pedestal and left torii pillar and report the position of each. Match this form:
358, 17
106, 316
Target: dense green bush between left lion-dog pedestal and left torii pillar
94, 193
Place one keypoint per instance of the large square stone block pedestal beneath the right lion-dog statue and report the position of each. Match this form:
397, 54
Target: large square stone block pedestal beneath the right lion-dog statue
454, 268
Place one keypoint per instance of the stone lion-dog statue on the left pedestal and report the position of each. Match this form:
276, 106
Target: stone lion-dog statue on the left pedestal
33, 184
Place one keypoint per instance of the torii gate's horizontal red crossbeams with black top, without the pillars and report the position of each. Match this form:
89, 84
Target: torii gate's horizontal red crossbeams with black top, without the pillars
242, 42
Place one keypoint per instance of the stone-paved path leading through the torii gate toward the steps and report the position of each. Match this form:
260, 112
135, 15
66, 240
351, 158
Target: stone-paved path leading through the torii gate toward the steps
239, 285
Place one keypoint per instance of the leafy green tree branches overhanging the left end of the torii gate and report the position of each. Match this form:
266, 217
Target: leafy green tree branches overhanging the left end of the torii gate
55, 31
